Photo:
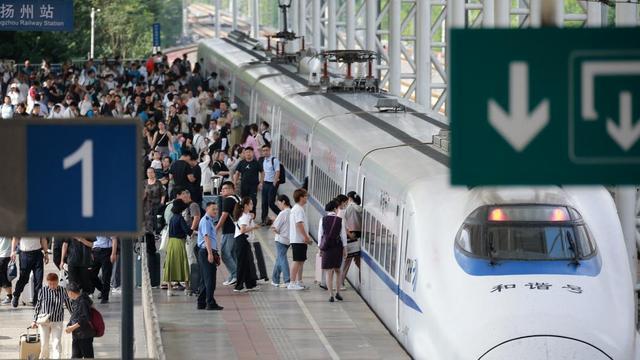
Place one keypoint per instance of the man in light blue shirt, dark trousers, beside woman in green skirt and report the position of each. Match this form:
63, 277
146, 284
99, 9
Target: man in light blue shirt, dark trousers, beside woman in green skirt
208, 259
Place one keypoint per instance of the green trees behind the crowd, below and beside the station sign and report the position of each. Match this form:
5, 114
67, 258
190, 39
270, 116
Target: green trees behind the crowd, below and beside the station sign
123, 27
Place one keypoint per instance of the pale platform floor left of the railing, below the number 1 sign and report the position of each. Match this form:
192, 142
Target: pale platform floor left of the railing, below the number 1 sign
13, 323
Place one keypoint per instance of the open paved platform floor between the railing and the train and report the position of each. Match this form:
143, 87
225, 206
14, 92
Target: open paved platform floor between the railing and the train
274, 323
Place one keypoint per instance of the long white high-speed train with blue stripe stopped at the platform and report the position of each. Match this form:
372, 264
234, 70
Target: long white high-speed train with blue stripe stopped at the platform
453, 272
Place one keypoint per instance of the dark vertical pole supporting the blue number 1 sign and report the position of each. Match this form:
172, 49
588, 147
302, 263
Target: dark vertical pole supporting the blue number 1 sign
126, 334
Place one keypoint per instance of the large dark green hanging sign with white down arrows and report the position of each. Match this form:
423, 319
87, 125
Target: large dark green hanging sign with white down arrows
545, 106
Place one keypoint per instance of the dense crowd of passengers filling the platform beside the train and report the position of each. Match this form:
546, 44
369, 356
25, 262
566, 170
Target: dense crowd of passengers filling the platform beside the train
203, 172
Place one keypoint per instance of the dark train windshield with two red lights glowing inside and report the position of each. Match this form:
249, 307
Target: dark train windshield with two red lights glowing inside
526, 232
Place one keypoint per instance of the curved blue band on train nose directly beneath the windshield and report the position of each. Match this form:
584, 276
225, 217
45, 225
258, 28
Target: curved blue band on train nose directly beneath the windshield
482, 267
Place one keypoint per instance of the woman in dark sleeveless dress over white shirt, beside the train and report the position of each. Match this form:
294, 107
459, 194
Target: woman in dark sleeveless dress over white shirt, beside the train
333, 246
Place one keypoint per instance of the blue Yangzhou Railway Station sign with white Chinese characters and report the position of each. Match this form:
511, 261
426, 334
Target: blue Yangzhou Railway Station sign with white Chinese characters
36, 15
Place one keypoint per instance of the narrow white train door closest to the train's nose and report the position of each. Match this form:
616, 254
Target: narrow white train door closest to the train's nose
406, 279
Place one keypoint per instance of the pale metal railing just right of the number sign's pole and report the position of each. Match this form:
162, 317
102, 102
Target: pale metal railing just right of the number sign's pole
155, 349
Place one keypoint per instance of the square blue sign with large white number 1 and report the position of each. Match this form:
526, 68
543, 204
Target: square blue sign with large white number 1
82, 178
